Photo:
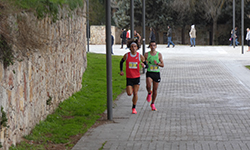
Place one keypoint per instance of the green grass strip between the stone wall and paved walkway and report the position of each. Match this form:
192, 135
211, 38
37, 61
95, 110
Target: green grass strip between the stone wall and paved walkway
77, 114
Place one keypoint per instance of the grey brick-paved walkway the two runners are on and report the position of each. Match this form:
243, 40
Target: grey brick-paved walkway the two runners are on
203, 103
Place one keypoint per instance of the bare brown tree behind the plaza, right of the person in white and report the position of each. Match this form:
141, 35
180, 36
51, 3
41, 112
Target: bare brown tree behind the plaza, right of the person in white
212, 9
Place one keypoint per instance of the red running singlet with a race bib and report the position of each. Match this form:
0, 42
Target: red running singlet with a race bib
132, 66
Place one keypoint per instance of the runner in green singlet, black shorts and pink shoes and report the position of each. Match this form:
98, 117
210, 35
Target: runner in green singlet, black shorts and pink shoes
154, 60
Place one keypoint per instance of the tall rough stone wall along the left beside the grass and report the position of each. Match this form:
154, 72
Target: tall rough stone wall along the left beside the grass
52, 71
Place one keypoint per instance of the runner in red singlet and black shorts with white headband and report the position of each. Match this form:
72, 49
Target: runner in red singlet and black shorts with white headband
133, 60
